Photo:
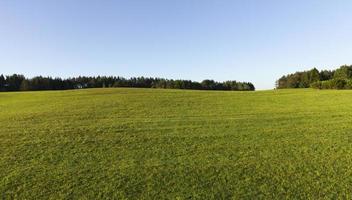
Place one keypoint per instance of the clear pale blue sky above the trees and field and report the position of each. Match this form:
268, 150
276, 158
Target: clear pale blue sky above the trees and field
245, 40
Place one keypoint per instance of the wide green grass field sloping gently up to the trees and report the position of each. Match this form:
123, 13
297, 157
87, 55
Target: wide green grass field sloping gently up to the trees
176, 144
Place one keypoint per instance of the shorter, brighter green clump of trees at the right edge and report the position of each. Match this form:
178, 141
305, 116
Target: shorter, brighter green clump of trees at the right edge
340, 78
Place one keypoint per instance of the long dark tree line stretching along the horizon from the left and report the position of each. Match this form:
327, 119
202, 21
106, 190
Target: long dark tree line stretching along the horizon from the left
17, 82
